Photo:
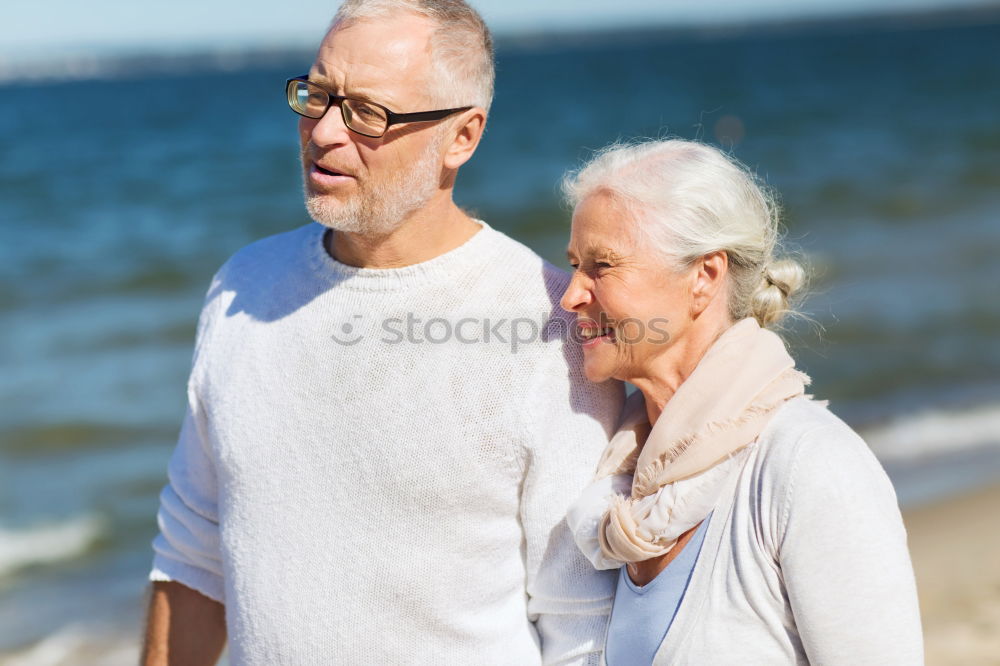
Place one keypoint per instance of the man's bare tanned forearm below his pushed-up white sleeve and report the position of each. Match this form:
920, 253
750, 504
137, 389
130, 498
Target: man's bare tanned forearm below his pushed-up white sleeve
183, 627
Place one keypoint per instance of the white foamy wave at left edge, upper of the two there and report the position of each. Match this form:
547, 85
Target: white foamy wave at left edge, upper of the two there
43, 544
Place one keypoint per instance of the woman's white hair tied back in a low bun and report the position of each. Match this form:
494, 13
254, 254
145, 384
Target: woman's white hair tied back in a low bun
688, 200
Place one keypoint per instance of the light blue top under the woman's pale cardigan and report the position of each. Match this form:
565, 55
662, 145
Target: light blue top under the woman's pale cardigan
641, 616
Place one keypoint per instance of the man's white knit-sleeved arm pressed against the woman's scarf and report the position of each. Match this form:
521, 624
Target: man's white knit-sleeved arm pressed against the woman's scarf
568, 600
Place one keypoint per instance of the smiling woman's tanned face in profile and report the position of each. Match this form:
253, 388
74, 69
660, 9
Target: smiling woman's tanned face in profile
630, 306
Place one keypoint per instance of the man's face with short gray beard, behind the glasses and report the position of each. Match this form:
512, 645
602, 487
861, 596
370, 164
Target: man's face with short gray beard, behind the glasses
366, 185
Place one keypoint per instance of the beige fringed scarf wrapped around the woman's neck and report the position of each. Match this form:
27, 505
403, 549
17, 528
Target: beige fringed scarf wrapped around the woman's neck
680, 469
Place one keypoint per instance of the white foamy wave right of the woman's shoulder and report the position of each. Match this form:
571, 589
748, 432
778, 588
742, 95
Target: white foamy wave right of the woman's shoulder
935, 432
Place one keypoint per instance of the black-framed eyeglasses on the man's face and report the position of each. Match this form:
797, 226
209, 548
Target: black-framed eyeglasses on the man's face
361, 116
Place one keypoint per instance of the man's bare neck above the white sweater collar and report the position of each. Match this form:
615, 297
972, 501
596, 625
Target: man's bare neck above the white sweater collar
439, 227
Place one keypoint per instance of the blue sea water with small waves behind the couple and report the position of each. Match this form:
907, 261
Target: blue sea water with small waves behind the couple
121, 195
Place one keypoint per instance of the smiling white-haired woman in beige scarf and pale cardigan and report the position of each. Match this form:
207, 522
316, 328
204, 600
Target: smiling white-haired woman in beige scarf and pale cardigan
750, 525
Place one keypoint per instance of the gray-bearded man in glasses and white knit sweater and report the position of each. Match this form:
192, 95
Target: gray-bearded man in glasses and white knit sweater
385, 419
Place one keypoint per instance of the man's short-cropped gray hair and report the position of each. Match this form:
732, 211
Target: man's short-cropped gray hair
462, 48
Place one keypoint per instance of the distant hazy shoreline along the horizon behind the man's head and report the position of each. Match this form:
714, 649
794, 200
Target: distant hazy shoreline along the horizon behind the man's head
109, 63
